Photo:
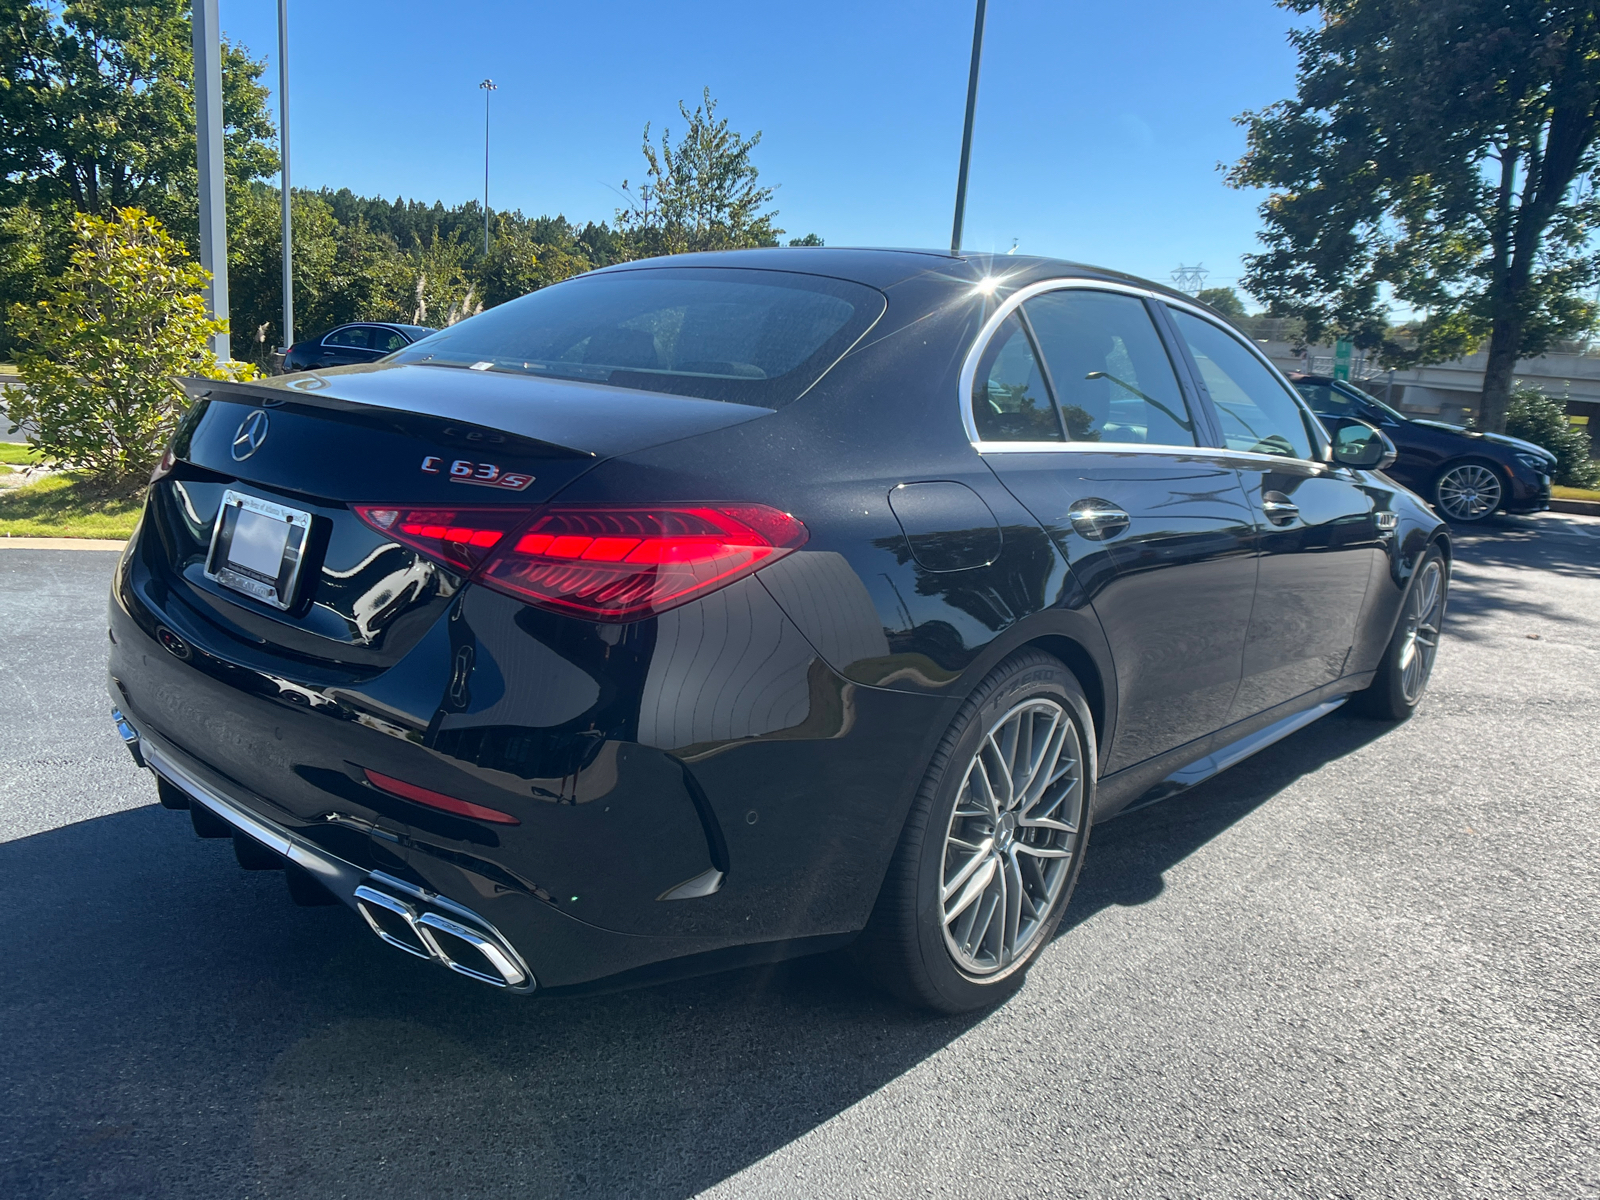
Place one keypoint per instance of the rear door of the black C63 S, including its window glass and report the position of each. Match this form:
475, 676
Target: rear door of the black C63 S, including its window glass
1081, 414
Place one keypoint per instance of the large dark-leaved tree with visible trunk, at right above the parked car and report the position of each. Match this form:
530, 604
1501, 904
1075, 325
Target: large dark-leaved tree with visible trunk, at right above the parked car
1442, 153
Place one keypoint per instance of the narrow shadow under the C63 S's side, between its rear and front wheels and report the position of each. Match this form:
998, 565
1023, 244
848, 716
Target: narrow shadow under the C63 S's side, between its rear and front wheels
1130, 855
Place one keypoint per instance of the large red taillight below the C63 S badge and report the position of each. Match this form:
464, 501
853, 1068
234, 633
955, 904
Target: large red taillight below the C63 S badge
623, 564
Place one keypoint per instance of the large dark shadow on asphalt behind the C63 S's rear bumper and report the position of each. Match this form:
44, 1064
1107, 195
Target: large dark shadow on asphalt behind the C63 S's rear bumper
174, 1026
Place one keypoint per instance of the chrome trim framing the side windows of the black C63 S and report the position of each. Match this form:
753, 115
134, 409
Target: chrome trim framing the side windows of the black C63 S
1026, 294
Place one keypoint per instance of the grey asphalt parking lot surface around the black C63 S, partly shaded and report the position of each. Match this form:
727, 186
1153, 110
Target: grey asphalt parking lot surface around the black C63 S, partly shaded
1361, 964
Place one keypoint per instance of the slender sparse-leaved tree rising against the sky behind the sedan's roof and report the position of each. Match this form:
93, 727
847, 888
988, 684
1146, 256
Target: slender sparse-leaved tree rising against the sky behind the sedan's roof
702, 193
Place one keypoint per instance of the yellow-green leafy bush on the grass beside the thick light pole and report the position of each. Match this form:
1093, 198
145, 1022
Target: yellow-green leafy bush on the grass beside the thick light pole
103, 353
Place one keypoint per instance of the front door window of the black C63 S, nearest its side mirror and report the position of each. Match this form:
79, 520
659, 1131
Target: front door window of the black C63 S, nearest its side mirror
1258, 414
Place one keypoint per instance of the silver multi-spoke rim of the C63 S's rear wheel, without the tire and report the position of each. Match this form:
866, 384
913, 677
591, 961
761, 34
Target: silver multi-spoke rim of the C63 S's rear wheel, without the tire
1012, 836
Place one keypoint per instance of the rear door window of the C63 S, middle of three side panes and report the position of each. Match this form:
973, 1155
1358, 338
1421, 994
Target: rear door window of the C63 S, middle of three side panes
1113, 377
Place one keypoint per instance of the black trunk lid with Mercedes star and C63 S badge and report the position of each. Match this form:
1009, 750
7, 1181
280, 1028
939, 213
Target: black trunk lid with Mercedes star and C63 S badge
383, 434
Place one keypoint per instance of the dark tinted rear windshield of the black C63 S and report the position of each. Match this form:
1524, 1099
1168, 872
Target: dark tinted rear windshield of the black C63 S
750, 337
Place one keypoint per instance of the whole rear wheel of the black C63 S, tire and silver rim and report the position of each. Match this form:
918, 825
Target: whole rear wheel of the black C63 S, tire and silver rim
993, 846
